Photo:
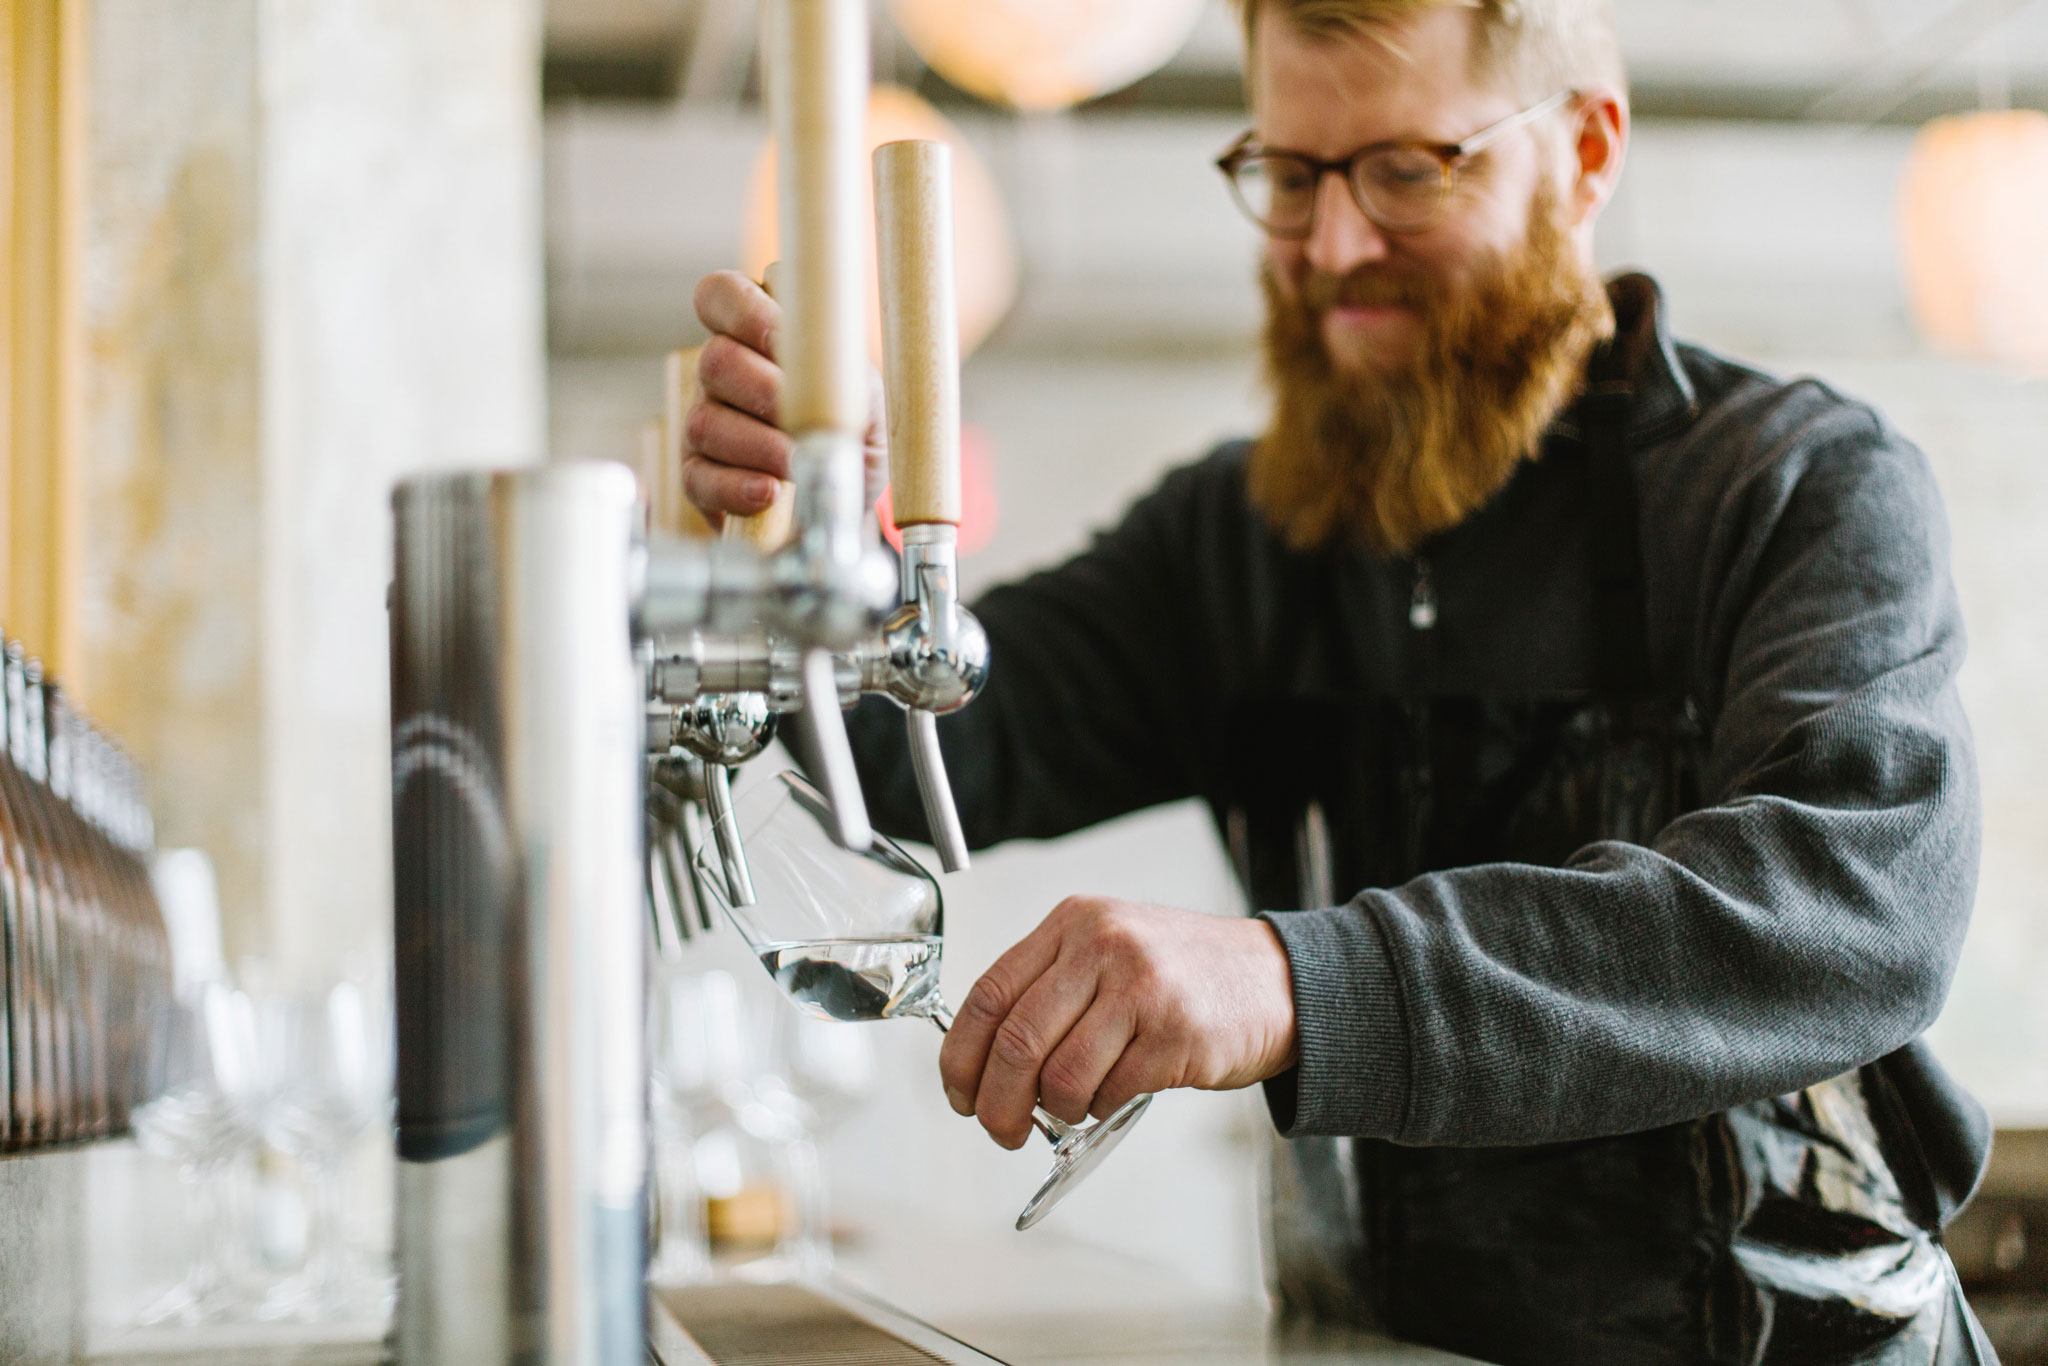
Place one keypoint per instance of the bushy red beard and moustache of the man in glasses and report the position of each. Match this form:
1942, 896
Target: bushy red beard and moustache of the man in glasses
1392, 458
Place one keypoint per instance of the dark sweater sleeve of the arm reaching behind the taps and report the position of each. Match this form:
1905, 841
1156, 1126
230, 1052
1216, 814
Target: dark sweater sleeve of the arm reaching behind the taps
1091, 695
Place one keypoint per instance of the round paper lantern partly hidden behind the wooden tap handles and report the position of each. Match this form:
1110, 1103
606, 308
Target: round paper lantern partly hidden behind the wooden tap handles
984, 257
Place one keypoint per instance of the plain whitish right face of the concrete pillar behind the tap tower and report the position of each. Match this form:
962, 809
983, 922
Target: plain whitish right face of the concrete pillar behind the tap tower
402, 333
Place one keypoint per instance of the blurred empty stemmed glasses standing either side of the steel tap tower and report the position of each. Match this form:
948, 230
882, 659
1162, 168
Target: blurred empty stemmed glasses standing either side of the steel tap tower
742, 1091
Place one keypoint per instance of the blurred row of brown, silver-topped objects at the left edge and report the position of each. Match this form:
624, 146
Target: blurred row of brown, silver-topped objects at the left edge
85, 953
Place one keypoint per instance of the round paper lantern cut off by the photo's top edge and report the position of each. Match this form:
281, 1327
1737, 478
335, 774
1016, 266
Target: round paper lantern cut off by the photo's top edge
1046, 54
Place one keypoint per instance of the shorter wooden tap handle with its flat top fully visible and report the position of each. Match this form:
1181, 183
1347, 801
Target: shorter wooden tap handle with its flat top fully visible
921, 331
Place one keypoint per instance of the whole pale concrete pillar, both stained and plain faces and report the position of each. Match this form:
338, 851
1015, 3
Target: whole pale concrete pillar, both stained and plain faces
314, 269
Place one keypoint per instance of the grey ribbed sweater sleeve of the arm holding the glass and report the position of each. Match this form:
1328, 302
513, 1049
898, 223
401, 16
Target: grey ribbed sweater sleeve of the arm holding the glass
1799, 927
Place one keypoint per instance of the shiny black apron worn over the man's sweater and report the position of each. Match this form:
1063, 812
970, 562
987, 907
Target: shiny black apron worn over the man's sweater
1766, 1236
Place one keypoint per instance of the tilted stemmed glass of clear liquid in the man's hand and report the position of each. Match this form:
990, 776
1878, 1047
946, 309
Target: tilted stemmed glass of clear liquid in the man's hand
859, 937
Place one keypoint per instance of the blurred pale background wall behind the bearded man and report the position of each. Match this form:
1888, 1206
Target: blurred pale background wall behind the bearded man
1764, 194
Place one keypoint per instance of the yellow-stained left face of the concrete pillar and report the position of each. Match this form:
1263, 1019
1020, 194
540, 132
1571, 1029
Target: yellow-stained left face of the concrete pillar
173, 484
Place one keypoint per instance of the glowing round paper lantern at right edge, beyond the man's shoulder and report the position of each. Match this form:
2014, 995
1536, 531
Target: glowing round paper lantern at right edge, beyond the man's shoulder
1973, 224
